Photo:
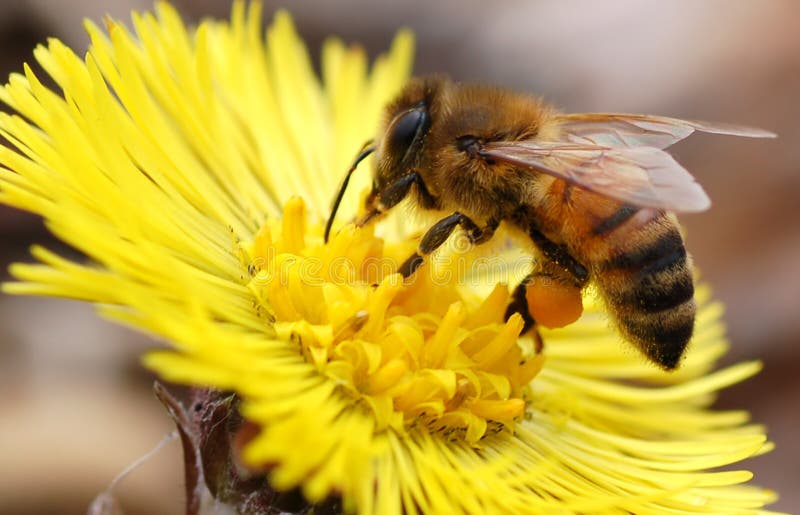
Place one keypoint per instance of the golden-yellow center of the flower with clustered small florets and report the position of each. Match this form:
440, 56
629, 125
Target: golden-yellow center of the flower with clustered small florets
413, 352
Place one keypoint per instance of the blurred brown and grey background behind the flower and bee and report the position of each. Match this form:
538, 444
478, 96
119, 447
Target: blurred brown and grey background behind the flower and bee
76, 407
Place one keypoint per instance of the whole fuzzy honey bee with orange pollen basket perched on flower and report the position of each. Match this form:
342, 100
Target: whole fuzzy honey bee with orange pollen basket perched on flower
596, 194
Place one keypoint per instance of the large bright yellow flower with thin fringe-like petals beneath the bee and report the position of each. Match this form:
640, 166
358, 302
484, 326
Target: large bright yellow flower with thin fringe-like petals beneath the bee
195, 169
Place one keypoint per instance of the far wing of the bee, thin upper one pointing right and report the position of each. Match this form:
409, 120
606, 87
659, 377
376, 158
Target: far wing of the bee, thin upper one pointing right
639, 130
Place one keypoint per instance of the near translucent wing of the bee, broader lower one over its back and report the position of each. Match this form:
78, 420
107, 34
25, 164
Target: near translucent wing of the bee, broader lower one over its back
642, 176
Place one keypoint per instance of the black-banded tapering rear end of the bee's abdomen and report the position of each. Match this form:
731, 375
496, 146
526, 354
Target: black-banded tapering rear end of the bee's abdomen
649, 288
